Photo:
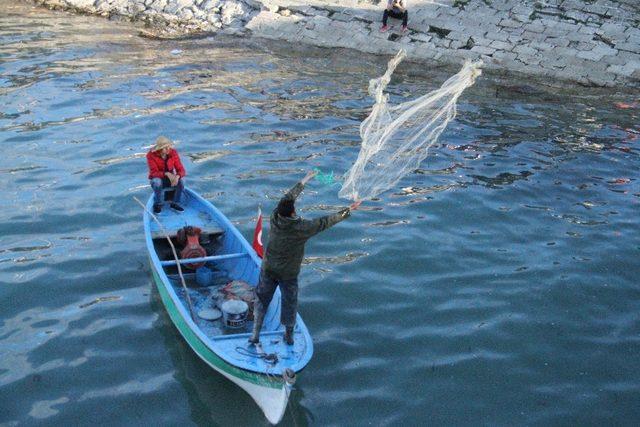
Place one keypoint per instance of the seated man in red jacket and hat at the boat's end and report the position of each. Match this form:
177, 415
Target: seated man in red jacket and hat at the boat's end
165, 170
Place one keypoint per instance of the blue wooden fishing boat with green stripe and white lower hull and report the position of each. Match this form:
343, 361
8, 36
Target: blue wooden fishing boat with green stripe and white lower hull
266, 371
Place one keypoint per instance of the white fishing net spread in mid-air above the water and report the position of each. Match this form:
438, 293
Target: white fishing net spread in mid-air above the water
396, 139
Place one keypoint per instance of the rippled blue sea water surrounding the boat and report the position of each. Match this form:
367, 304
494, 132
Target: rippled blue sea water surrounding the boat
497, 285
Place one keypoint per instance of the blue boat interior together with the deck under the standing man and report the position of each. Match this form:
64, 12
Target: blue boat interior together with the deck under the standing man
232, 272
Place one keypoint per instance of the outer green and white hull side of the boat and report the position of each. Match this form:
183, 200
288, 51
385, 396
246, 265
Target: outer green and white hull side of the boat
270, 392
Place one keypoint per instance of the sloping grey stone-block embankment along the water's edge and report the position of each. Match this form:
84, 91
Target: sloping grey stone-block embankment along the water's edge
592, 42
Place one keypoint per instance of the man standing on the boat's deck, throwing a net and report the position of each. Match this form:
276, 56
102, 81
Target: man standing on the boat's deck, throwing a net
288, 234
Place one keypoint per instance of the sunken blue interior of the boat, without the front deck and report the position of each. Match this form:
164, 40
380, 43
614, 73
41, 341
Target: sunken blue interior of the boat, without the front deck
226, 260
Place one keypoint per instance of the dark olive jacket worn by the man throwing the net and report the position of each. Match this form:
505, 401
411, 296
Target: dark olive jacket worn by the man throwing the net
287, 236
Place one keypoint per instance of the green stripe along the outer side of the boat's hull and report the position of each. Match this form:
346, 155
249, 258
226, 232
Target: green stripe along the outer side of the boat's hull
203, 350
